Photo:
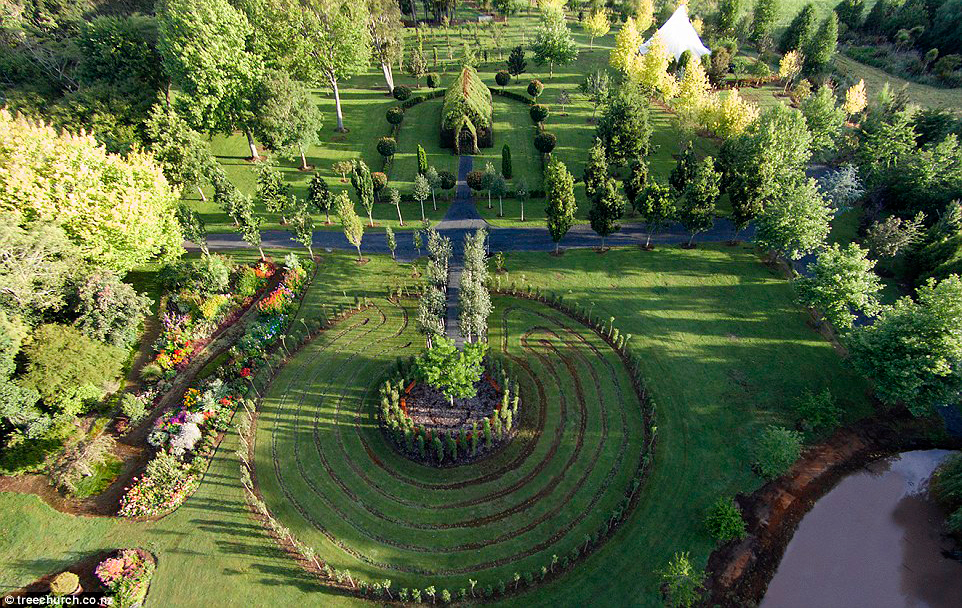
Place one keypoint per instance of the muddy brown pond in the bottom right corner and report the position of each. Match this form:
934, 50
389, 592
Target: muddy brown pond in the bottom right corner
873, 541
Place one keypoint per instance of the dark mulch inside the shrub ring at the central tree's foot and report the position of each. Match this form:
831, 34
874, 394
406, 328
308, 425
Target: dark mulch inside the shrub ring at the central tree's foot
429, 407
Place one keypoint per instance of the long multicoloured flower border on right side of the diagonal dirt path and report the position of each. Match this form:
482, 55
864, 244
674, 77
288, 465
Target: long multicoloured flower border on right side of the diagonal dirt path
185, 437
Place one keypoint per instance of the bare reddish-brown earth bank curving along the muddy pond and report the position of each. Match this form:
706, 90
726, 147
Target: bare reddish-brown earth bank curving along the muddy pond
739, 572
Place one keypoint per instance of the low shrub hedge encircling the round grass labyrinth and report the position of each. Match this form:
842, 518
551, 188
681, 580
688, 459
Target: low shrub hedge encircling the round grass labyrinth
292, 546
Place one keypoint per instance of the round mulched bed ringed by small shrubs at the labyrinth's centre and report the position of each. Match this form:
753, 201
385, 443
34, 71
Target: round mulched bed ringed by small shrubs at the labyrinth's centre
429, 427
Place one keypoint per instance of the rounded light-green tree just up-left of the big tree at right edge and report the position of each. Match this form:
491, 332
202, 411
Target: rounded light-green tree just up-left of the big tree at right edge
841, 282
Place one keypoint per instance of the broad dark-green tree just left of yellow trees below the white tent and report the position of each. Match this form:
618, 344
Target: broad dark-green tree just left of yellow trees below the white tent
624, 127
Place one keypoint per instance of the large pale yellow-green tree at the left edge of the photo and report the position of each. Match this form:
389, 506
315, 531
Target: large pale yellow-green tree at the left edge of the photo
119, 211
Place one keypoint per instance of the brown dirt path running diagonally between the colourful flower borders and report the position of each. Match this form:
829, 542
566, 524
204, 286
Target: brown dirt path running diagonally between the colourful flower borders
132, 444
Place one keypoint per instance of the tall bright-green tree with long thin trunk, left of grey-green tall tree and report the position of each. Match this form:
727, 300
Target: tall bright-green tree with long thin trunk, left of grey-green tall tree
339, 46
